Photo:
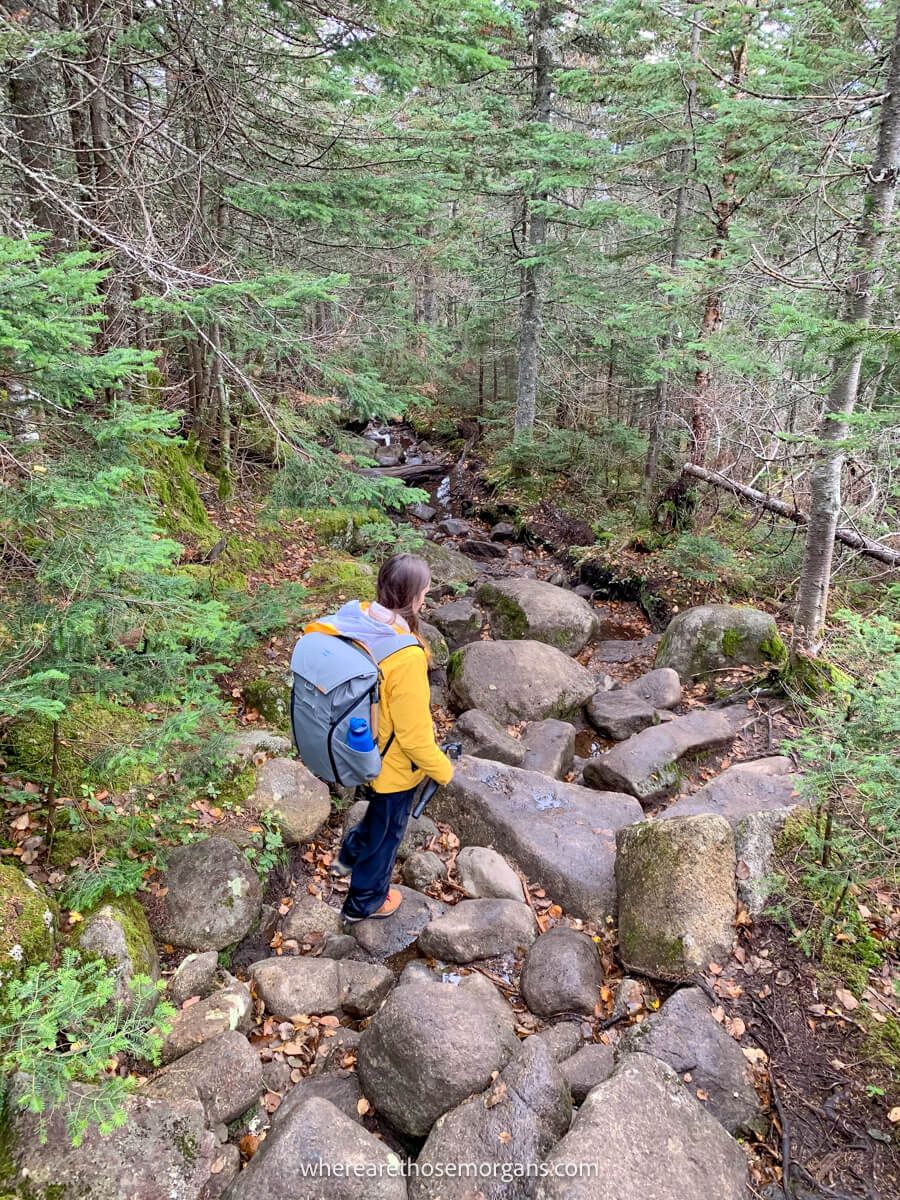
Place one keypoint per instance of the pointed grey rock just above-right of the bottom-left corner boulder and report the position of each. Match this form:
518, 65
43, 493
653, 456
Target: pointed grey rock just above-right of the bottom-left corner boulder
225, 1076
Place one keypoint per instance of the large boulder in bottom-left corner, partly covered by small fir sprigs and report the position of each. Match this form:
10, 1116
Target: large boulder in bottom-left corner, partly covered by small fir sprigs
163, 1153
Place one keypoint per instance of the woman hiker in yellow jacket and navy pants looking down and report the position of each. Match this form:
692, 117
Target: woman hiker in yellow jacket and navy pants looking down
405, 731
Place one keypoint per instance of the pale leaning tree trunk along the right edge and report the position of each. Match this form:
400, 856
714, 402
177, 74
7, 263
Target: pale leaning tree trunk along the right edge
826, 477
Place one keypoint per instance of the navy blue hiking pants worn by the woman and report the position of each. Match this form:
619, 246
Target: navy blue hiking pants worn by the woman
371, 850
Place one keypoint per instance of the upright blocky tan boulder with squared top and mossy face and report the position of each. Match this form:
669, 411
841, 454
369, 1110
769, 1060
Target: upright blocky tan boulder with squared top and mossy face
677, 896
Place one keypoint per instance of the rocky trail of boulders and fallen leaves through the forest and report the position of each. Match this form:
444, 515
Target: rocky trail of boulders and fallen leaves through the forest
573, 995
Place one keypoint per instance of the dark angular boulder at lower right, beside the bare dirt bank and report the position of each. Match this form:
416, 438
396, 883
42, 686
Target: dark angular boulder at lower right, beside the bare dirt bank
685, 1035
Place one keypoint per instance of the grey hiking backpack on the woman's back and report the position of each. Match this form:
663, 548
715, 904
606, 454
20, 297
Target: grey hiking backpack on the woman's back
335, 681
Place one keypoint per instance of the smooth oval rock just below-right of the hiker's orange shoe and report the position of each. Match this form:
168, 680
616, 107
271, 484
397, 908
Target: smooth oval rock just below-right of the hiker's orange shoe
479, 929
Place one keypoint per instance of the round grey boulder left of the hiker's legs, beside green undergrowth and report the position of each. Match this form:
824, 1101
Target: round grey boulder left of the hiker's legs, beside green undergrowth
212, 897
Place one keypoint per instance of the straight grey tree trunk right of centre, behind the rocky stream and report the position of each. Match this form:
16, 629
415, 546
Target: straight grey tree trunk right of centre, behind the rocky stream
533, 273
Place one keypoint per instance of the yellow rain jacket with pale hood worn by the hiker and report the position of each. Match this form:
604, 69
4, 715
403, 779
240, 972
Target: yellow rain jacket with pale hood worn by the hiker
405, 709
